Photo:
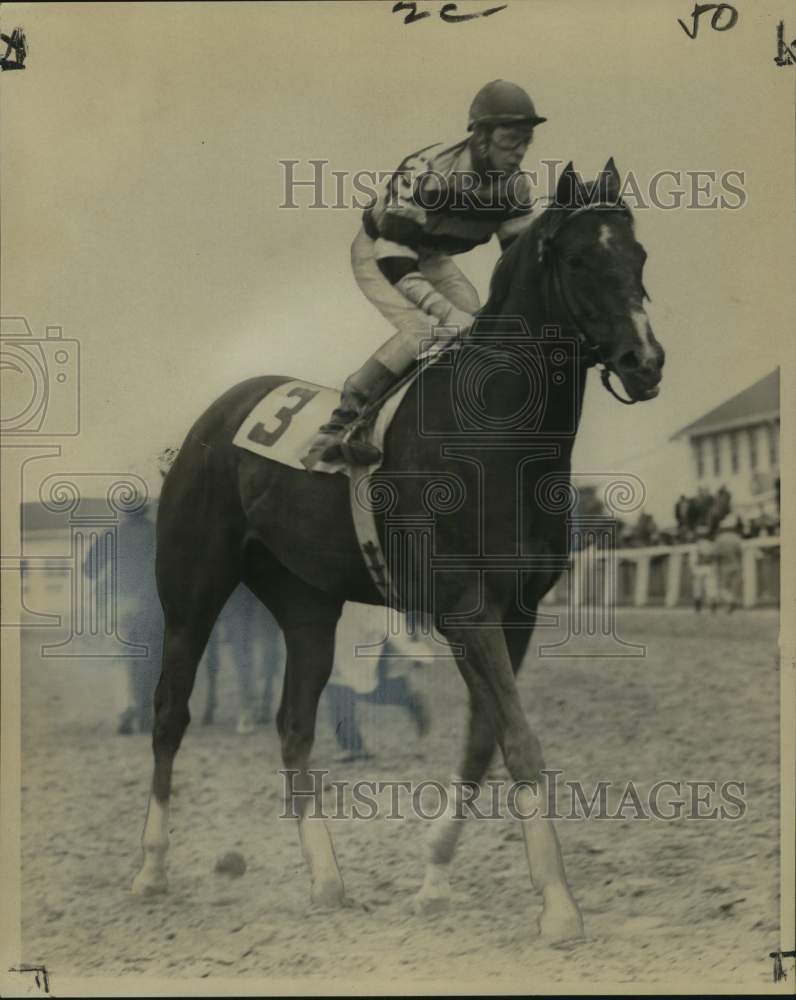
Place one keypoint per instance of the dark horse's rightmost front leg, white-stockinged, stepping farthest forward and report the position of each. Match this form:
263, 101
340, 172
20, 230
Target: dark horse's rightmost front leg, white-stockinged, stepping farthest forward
487, 669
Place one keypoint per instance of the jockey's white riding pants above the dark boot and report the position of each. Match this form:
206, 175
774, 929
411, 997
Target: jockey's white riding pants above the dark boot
412, 324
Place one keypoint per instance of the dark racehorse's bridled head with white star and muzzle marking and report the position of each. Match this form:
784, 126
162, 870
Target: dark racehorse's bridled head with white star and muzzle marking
594, 264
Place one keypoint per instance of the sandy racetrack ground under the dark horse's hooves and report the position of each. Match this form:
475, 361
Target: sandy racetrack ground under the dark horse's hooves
684, 904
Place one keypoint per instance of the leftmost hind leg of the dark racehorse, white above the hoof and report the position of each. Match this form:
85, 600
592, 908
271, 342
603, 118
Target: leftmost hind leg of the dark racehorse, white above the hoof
194, 584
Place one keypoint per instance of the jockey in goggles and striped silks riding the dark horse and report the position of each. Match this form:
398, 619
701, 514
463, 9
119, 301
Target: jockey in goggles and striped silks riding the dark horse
440, 201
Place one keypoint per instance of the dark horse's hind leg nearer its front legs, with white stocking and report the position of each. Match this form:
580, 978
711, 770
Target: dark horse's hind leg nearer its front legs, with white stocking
308, 618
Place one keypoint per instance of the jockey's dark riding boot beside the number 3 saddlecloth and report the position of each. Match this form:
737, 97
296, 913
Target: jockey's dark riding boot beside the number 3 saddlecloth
360, 390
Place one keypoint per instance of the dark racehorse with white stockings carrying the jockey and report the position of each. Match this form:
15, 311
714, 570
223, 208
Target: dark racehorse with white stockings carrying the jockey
228, 516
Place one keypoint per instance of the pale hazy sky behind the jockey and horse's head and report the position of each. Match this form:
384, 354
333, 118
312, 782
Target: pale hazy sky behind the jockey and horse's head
141, 186
